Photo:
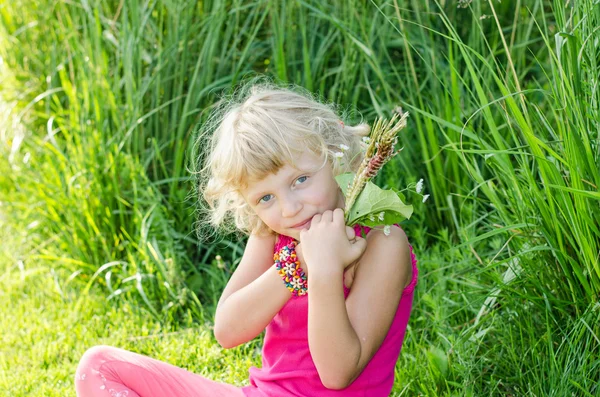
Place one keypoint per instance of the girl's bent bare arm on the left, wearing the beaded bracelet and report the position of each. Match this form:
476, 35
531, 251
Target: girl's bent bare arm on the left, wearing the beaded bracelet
252, 297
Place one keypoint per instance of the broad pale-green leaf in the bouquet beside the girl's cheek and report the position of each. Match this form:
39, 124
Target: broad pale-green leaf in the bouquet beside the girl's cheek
371, 202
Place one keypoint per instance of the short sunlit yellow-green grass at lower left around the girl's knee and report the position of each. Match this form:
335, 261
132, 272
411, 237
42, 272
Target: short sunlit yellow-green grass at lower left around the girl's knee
48, 324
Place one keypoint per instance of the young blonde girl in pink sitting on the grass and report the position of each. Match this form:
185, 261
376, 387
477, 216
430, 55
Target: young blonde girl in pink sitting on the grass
336, 320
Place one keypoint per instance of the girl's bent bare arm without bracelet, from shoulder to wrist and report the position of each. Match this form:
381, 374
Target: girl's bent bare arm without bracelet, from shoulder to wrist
344, 335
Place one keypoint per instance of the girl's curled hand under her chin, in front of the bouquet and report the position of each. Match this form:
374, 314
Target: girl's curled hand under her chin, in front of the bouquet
329, 245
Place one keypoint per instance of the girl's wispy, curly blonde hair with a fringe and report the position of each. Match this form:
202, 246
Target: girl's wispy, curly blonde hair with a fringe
255, 132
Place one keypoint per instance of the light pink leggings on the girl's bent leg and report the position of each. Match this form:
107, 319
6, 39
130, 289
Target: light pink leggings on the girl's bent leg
109, 371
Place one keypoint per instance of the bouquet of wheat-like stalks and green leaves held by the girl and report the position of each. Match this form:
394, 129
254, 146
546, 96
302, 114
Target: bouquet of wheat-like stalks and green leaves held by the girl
366, 203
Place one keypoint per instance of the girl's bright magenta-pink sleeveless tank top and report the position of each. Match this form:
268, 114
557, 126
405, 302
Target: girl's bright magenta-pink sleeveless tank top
288, 368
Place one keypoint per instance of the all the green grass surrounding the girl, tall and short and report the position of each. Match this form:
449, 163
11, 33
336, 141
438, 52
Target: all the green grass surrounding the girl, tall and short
100, 103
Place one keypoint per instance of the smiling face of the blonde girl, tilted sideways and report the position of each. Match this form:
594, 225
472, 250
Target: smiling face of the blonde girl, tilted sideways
287, 200
